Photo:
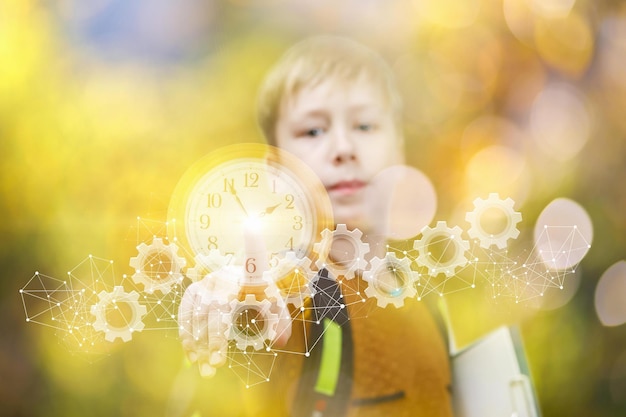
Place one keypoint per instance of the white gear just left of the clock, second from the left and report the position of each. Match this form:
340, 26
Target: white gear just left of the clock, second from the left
157, 266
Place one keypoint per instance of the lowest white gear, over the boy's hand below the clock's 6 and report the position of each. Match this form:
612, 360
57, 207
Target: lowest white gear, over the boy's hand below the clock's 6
251, 322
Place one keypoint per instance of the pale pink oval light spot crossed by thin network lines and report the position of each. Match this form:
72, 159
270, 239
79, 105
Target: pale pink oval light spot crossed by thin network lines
563, 234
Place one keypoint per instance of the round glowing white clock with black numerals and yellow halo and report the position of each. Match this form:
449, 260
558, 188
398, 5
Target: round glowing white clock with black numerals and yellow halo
249, 189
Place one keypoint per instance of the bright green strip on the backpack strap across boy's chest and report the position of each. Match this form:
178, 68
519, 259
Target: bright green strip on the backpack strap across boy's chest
331, 359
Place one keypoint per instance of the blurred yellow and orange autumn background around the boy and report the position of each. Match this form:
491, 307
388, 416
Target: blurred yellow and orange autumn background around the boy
104, 104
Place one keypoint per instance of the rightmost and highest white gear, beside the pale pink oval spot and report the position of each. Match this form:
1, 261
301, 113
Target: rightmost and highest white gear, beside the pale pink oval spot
477, 231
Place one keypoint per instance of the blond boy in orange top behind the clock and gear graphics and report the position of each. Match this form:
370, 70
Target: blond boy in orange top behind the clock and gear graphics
333, 103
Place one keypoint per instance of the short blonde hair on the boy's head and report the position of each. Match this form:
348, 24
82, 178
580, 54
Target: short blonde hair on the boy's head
317, 59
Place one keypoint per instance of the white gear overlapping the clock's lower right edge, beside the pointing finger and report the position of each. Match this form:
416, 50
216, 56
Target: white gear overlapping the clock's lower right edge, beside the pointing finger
293, 278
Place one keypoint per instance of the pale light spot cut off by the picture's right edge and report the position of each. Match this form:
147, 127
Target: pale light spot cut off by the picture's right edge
610, 295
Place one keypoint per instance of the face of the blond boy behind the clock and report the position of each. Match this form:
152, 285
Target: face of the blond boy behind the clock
346, 133
